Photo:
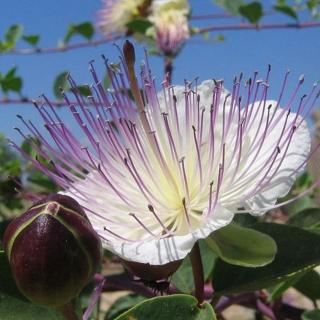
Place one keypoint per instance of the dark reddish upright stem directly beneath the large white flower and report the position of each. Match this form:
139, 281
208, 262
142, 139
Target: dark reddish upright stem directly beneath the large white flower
197, 269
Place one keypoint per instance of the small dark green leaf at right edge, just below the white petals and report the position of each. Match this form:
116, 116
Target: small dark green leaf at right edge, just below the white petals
308, 219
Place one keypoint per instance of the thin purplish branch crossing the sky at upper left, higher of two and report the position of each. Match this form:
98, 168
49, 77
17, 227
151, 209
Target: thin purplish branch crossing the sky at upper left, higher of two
79, 45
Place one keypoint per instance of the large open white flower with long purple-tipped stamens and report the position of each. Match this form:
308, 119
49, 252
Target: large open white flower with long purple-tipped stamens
162, 170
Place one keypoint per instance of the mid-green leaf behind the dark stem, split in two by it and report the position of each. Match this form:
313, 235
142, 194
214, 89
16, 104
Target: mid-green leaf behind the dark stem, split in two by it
183, 277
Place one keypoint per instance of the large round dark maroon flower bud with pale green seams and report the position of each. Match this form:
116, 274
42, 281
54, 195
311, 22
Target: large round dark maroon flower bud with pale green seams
53, 250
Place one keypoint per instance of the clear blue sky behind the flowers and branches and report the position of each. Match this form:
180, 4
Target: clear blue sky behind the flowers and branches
246, 51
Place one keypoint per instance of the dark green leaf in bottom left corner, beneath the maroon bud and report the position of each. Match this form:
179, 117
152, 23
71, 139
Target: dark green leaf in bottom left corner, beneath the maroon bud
13, 305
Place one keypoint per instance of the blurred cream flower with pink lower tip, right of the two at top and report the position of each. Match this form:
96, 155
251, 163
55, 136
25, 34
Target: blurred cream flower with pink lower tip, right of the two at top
170, 24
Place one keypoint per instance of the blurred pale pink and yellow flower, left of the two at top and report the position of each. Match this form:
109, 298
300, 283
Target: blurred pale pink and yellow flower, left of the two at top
116, 14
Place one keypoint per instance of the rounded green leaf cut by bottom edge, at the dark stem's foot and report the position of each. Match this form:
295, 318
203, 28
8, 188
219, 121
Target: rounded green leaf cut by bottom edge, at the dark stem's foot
178, 307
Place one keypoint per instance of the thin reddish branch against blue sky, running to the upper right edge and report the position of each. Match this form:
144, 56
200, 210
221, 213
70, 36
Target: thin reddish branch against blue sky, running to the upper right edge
249, 26
